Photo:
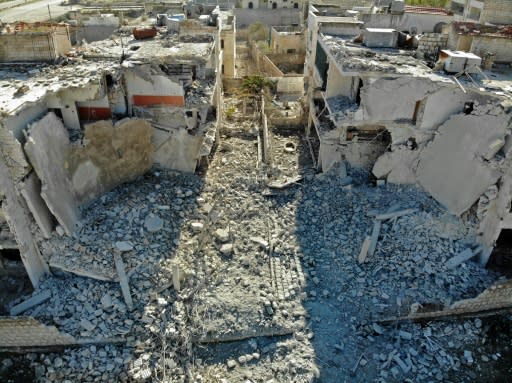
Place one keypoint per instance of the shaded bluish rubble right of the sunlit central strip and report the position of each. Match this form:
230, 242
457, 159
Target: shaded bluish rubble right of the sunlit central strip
342, 297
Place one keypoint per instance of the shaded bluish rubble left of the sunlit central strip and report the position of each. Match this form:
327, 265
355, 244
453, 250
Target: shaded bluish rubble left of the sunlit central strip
144, 222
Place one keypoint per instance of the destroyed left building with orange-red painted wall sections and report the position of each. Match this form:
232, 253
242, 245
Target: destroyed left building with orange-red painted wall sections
108, 116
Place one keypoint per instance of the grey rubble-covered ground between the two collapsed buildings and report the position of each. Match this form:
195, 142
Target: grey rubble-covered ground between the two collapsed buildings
270, 289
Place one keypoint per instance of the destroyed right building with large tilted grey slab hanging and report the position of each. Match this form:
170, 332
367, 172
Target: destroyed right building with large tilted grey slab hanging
406, 138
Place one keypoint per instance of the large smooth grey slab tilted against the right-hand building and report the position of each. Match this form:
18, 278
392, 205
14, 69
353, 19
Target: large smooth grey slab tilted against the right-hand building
457, 178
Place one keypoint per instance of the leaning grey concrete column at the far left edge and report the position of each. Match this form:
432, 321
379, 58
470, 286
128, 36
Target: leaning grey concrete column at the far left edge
19, 222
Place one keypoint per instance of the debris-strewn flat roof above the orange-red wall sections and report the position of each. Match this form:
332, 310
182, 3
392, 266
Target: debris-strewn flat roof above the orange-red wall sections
27, 83
